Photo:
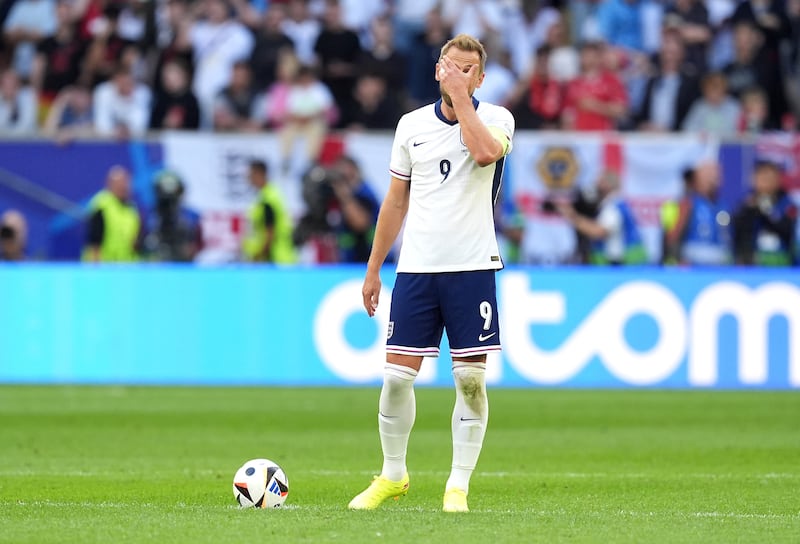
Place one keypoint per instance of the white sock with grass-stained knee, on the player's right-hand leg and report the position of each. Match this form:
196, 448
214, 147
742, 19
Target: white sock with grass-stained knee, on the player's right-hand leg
470, 416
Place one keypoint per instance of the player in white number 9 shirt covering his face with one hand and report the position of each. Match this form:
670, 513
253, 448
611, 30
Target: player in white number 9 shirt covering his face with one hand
446, 165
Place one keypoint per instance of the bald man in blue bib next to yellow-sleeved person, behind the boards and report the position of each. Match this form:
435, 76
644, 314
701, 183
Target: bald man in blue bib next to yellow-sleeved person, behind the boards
696, 226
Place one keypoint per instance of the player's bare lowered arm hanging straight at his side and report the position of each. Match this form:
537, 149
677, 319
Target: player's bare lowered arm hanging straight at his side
390, 220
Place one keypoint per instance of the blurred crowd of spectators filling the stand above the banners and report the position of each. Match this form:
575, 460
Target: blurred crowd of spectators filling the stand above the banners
119, 68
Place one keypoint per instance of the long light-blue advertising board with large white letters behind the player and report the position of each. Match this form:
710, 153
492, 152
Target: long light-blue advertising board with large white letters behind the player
249, 325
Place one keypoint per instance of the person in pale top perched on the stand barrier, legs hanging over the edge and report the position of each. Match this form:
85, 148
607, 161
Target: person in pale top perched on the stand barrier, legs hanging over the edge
309, 110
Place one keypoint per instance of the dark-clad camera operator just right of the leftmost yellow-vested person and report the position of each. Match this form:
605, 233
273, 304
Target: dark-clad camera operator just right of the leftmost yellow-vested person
174, 231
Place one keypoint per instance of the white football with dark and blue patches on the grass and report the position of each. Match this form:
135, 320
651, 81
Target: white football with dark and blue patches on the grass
260, 483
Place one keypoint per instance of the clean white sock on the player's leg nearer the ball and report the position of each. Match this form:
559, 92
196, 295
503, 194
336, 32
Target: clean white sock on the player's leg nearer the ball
397, 410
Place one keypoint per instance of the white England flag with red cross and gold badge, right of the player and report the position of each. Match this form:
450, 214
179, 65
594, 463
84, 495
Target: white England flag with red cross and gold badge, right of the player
559, 166
